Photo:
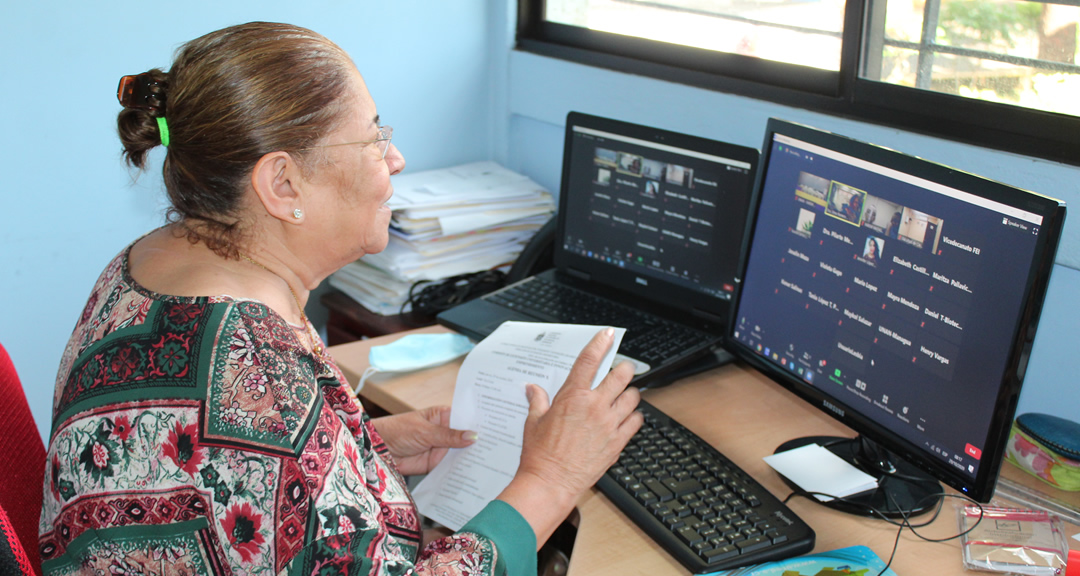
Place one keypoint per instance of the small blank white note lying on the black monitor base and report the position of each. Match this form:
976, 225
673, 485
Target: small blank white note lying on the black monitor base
816, 470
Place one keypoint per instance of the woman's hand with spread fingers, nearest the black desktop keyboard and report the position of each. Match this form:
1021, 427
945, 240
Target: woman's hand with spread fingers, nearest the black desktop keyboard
572, 441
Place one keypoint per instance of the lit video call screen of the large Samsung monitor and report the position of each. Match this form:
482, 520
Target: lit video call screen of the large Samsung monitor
895, 296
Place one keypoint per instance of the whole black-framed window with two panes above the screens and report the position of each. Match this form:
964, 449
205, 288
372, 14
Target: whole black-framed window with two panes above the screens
993, 73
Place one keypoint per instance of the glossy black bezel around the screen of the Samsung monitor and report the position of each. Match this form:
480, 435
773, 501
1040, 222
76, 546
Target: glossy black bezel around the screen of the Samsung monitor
1008, 392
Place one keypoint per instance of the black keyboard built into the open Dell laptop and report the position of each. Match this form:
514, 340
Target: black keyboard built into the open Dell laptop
649, 339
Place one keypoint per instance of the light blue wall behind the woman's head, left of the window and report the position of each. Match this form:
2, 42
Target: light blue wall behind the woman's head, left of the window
72, 205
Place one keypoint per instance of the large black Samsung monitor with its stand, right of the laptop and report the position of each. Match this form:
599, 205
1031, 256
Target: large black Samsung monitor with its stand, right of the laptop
900, 297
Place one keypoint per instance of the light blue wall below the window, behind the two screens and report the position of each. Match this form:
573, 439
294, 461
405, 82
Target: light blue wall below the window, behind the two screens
542, 91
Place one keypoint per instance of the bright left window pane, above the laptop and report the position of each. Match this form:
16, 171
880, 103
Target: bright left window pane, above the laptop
807, 33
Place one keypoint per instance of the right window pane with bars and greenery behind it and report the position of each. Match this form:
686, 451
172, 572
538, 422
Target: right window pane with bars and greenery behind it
1006, 51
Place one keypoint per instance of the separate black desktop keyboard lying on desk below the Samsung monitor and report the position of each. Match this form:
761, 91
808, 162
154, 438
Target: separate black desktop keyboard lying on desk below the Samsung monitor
695, 503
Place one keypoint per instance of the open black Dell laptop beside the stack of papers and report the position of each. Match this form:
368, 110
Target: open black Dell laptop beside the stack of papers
649, 238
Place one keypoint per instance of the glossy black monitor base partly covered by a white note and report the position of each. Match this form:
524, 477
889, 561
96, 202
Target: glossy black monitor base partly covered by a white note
903, 490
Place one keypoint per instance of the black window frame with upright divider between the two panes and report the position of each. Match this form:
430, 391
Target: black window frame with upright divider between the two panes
1003, 127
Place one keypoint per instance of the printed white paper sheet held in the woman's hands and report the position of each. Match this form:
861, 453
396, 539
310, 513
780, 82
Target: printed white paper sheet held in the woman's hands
490, 398
